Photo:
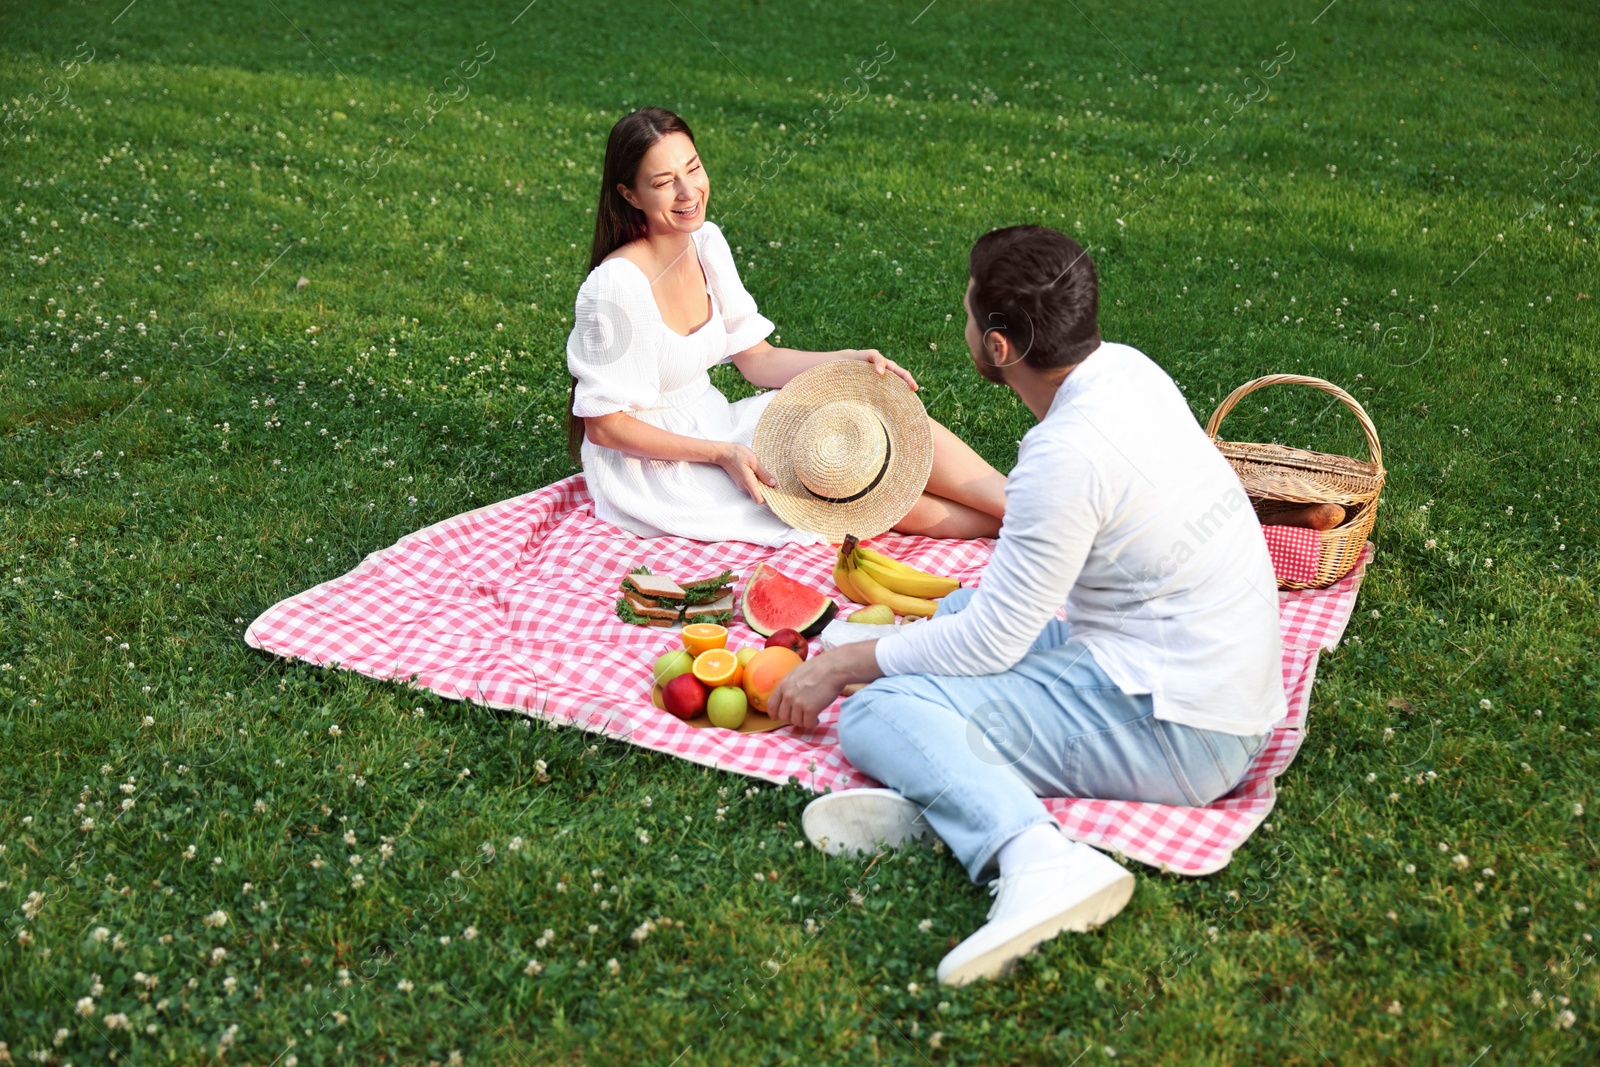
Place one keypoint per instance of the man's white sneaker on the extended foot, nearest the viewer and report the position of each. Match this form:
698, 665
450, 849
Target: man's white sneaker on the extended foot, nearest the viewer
1038, 903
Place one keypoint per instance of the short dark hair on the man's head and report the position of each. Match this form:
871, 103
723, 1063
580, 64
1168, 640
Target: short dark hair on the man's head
1038, 287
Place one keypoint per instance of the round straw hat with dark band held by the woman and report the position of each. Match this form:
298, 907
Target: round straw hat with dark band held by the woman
850, 450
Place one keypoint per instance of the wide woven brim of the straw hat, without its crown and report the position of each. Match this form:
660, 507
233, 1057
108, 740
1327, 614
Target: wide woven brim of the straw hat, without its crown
910, 462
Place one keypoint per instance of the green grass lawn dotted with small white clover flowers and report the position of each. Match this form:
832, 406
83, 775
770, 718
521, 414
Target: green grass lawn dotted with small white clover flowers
186, 438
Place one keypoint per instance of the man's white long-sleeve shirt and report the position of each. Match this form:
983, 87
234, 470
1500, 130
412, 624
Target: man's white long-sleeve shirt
1122, 510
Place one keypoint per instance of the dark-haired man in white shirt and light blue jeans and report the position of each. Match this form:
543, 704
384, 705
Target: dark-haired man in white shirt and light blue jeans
1161, 685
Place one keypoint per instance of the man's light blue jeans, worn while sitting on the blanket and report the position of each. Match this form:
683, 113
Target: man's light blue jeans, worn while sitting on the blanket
978, 753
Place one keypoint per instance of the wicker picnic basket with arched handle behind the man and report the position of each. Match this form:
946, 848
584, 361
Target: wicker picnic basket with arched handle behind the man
1281, 479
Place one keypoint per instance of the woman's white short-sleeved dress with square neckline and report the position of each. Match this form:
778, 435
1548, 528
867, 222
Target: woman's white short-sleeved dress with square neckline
628, 359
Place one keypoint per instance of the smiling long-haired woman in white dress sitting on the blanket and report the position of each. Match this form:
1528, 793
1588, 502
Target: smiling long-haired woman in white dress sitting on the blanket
663, 450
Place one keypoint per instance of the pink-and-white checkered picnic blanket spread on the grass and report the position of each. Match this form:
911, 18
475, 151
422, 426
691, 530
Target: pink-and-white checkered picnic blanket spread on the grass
511, 607
